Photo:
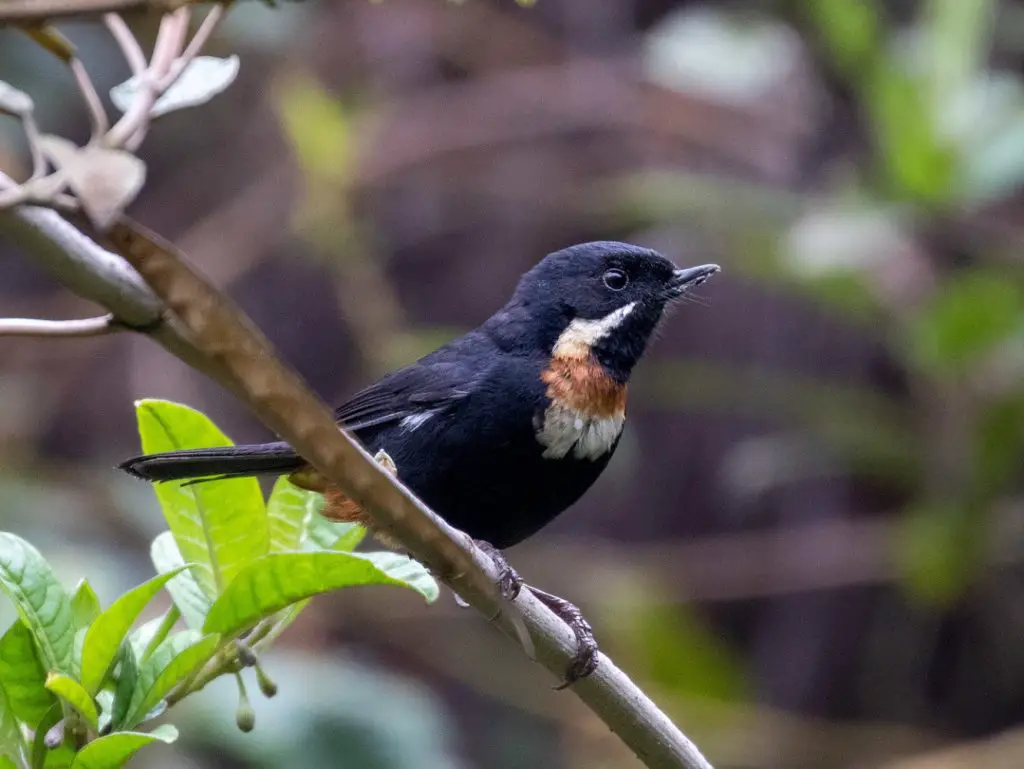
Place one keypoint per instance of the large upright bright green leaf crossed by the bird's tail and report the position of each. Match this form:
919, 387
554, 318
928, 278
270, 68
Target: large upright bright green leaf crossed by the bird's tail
222, 525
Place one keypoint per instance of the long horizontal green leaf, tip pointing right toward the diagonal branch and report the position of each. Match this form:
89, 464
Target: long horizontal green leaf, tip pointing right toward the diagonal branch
277, 581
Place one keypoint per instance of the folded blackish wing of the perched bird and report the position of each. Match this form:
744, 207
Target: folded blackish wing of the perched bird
429, 386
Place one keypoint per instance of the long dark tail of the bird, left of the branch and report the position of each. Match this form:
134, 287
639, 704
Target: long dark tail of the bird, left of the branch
227, 462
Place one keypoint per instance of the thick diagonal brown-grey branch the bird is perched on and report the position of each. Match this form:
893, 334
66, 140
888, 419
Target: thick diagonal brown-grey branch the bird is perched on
201, 327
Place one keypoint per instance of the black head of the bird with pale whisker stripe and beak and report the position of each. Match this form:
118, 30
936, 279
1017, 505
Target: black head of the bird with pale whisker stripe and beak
604, 300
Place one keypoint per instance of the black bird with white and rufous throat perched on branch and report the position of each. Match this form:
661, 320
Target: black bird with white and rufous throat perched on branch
502, 430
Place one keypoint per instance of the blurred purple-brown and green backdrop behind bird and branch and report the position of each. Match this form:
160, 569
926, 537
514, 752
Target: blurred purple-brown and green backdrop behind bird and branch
809, 548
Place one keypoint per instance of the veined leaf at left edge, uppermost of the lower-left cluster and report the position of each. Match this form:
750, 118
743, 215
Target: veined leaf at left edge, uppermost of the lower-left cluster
40, 600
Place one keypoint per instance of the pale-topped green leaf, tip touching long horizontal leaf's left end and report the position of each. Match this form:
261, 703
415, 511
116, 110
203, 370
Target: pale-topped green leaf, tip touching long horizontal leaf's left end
170, 664
